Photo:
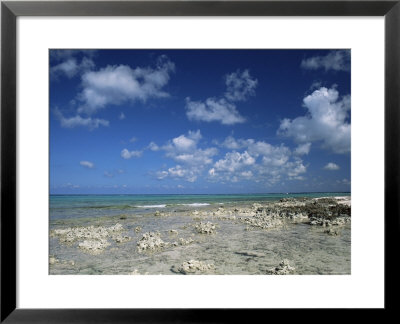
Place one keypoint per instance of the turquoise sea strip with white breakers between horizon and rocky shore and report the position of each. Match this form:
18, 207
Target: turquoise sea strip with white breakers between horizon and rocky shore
95, 205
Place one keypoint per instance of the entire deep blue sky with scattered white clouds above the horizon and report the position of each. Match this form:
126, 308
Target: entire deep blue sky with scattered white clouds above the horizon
199, 121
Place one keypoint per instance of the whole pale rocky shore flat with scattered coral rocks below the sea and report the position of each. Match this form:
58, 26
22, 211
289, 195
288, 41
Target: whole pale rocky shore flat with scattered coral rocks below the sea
197, 241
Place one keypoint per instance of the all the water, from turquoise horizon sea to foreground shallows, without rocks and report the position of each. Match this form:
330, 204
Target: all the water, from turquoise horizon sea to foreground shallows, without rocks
233, 249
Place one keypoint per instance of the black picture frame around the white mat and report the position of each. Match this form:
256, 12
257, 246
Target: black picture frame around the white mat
11, 10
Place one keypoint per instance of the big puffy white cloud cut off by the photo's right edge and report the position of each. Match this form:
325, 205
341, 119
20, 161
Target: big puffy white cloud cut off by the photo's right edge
327, 121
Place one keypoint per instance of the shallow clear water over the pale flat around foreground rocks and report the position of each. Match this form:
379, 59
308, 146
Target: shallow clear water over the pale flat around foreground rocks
233, 249
